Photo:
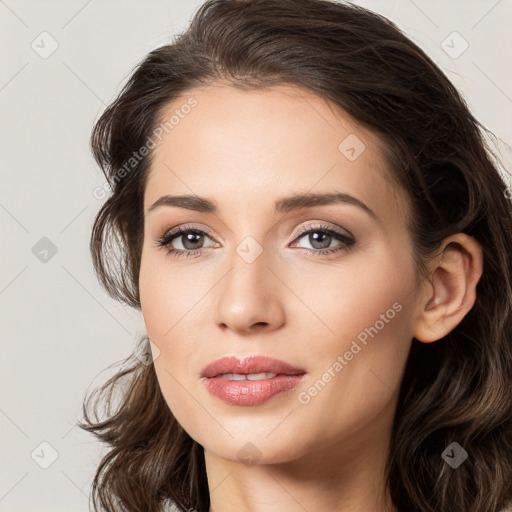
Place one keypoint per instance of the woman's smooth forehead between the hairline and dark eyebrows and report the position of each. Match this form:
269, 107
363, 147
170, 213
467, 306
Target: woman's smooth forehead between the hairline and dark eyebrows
242, 147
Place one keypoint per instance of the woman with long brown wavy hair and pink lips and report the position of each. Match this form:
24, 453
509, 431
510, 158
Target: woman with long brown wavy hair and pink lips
305, 212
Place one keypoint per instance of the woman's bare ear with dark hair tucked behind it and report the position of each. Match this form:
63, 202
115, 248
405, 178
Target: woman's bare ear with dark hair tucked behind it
451, 292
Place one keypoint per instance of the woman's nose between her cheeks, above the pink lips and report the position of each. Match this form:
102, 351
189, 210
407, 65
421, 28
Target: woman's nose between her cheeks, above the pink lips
248, 297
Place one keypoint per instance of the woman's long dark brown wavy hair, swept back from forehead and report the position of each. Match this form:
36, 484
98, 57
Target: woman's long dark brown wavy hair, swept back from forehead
457, 389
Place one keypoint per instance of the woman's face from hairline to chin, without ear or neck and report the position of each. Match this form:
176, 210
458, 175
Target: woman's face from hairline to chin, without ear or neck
259, 280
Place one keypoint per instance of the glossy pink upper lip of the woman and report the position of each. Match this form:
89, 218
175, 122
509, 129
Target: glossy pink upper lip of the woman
248, 365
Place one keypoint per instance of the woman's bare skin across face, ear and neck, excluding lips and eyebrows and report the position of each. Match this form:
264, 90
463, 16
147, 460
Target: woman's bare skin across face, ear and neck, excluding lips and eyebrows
244, 150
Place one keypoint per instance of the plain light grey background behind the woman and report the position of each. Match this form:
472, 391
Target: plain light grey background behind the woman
59, 330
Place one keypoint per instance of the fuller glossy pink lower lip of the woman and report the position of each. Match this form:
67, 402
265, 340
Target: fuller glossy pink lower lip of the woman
251, 392
